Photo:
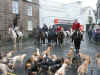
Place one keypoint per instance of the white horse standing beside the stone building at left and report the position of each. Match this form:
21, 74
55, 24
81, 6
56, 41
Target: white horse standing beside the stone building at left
16, 33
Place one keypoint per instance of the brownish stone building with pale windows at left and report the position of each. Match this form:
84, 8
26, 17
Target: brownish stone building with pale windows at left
28, 11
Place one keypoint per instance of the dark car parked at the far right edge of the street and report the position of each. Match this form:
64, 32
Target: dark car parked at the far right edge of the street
96, 33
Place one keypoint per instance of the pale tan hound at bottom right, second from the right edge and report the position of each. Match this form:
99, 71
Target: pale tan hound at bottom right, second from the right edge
83, 68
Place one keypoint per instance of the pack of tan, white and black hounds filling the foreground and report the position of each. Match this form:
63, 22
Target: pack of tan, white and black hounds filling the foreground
44, 63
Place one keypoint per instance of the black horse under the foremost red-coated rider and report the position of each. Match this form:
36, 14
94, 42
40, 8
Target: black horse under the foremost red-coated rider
76, 39
